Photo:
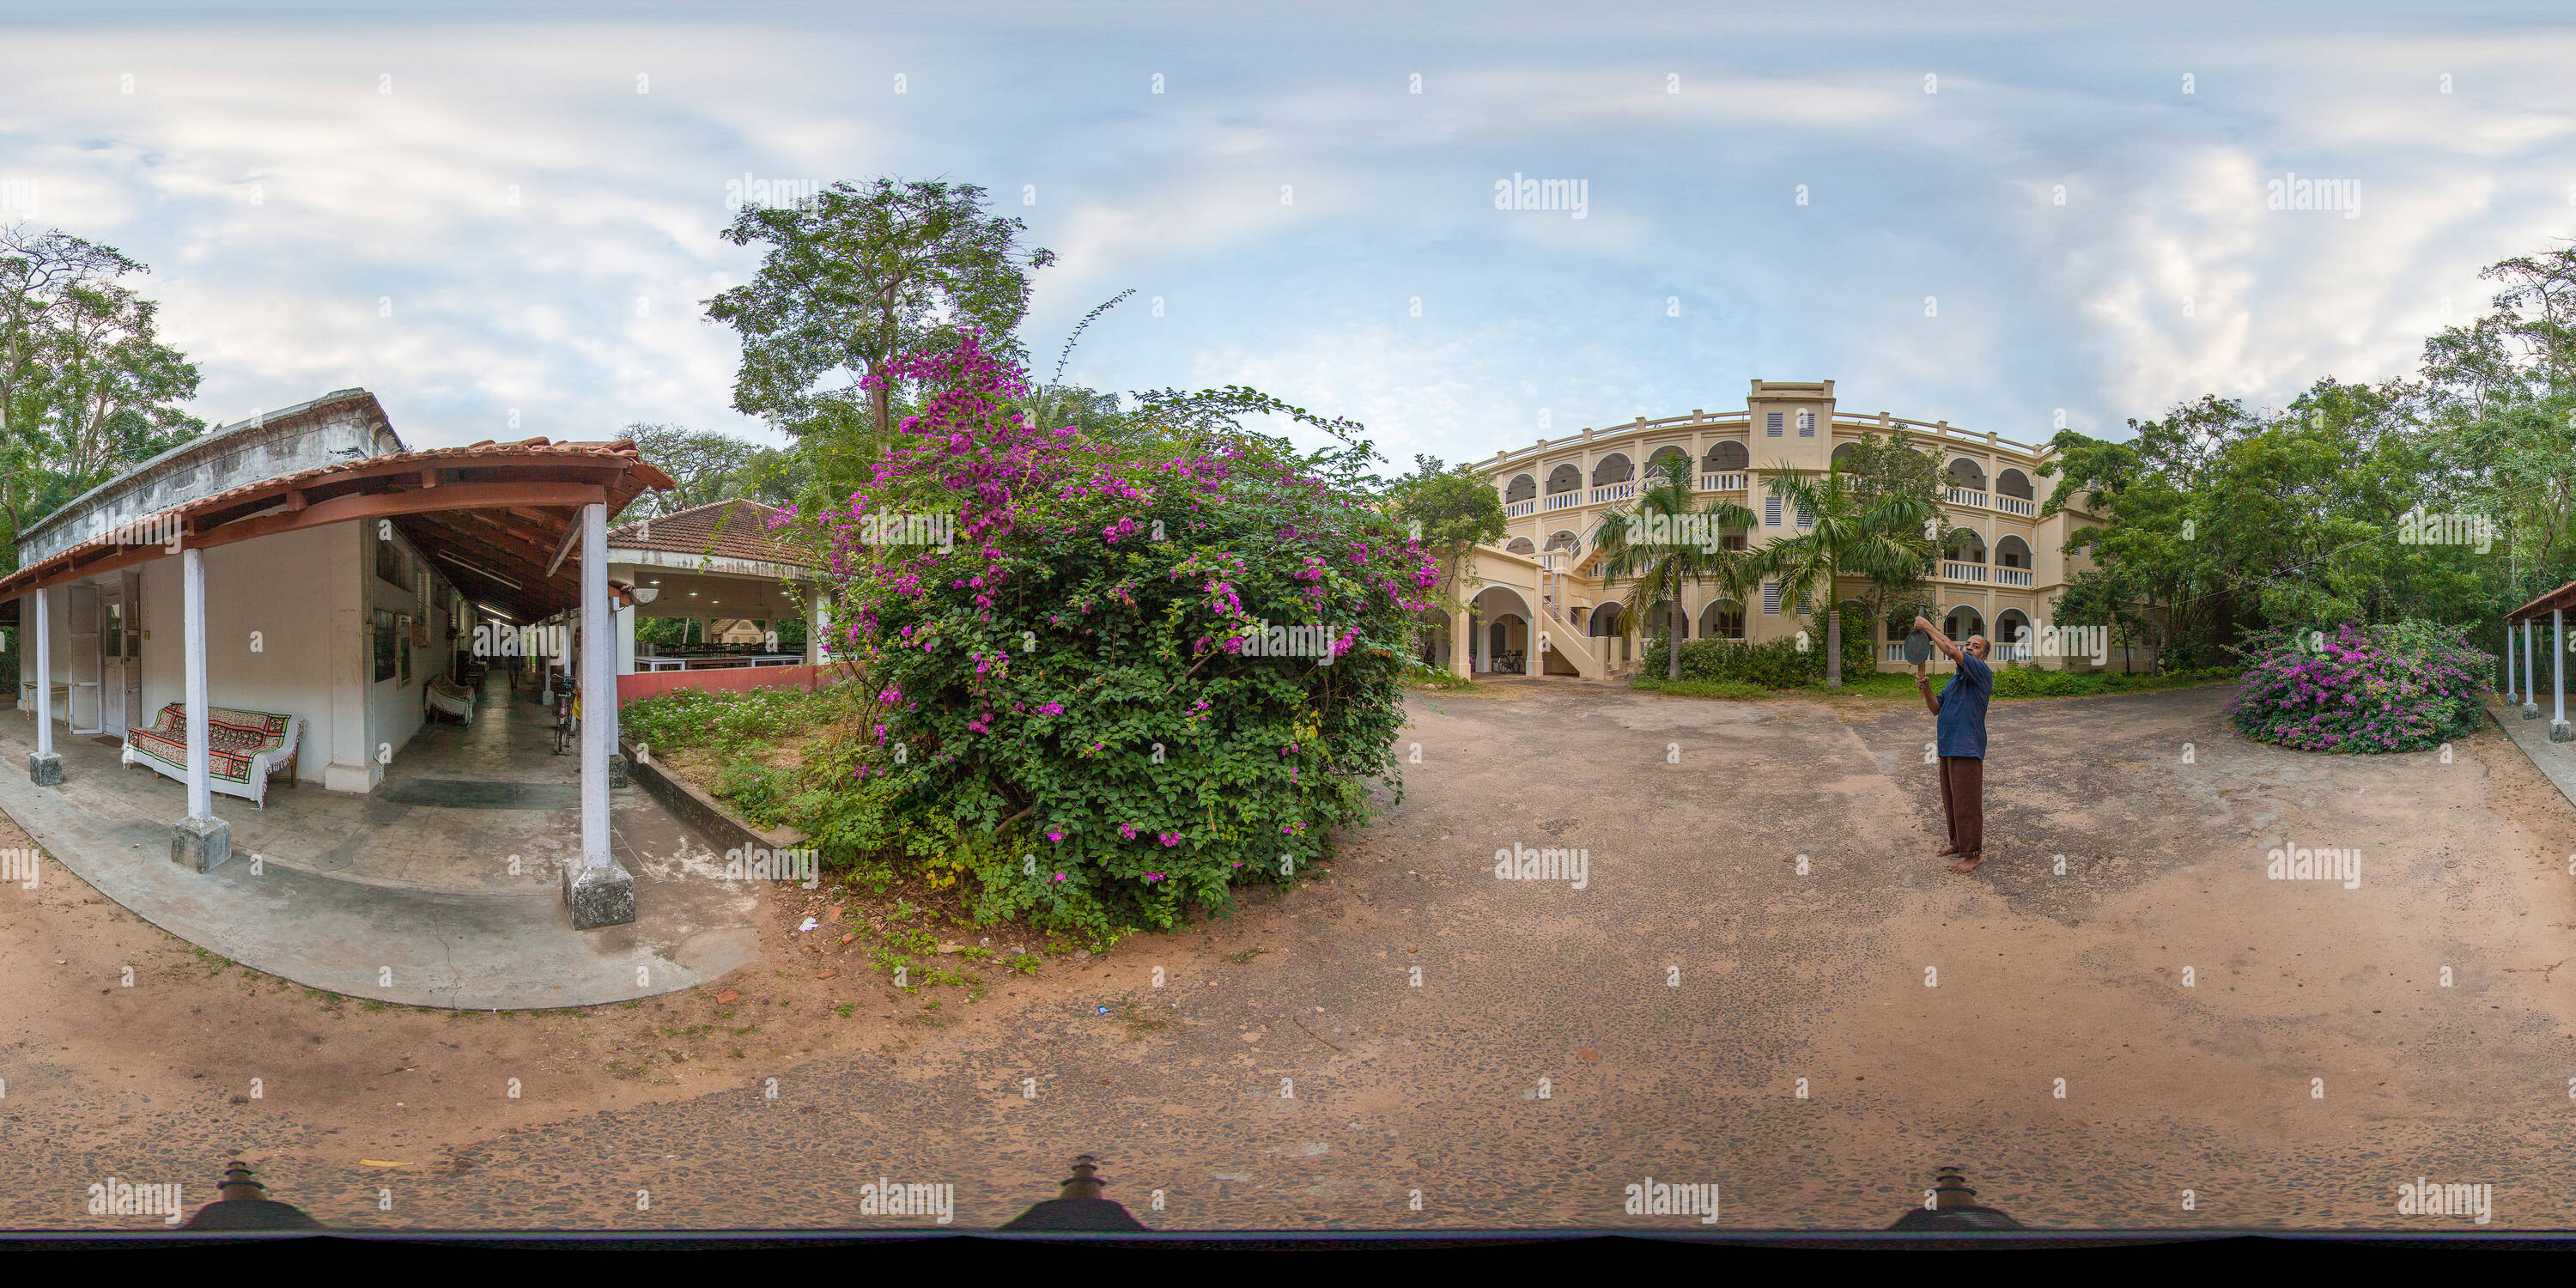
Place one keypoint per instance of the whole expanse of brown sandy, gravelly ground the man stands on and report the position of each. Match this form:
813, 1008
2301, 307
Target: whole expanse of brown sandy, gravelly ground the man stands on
1562, 1042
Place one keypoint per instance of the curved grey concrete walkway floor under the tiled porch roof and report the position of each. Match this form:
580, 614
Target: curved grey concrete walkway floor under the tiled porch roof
437, 890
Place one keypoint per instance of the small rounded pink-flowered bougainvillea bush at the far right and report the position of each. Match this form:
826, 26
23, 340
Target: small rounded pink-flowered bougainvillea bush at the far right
2361, 689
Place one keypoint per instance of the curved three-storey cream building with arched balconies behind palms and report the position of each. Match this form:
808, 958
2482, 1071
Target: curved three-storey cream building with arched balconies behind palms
1539, 601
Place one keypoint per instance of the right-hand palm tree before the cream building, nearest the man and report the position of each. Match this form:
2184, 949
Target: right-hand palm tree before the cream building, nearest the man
1843, 535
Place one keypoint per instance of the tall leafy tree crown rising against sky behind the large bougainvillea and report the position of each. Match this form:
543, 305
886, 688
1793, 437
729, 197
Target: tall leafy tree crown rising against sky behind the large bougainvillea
857, 277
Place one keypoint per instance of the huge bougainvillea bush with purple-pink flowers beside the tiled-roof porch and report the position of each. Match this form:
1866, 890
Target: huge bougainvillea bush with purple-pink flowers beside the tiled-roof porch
1081, 705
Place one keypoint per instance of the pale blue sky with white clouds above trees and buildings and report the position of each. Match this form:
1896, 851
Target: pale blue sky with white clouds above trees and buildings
1985, 215
